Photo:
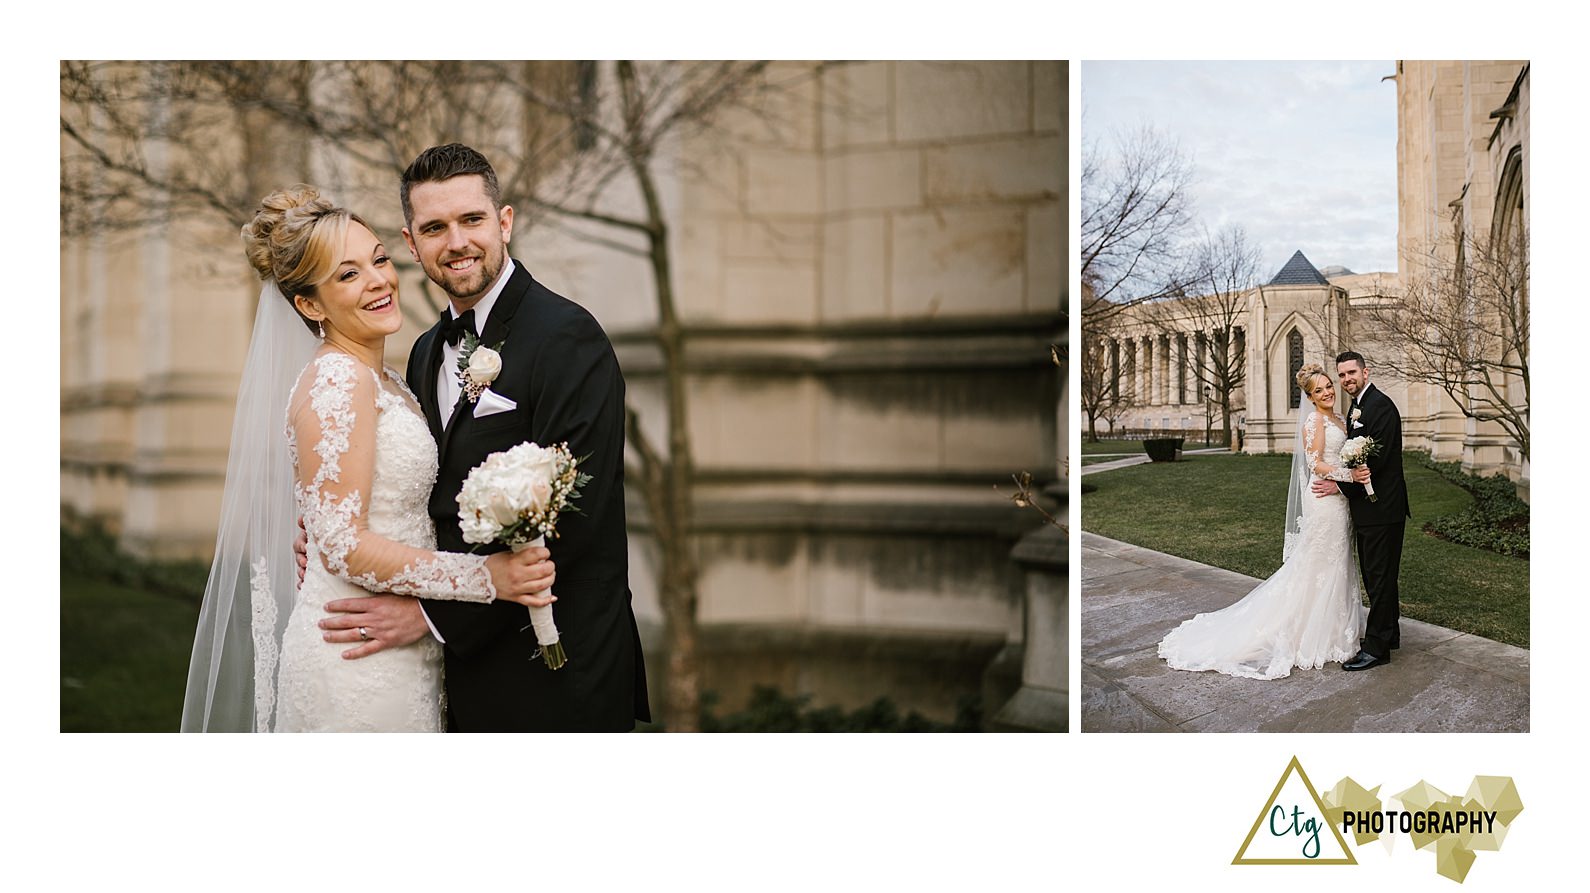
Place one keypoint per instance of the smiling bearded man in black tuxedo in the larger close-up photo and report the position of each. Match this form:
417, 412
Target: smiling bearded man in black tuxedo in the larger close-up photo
559, 382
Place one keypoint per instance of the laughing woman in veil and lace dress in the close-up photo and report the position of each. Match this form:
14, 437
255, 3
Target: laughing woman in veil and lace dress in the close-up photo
357, 463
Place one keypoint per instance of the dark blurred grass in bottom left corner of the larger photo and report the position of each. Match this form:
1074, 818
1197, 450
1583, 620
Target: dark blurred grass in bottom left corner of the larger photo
123, 657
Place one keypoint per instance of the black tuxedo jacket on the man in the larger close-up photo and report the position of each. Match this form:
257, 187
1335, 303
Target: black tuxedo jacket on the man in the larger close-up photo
560, 371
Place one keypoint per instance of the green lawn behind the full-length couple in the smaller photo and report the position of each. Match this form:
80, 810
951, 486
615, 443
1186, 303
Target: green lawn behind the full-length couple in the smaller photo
1227, 511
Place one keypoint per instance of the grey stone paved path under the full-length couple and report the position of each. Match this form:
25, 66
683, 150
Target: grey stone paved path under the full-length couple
1440, 681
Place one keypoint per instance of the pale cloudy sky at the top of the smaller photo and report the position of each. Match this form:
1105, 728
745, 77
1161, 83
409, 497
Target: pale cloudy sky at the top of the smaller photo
1303, 155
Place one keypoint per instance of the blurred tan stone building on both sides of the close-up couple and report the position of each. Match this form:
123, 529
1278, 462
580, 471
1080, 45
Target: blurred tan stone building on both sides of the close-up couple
872, 288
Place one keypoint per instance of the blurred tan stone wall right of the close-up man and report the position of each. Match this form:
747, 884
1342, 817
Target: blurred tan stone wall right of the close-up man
874, 285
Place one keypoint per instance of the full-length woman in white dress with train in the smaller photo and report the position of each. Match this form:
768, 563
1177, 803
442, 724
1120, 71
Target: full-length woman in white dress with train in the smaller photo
1309, 613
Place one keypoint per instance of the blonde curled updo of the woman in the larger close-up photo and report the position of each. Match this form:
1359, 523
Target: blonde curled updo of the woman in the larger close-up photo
297, 241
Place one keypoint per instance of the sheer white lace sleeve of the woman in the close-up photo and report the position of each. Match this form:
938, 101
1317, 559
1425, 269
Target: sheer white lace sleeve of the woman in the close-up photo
333, 428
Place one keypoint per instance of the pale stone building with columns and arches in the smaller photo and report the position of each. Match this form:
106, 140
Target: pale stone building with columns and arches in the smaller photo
1464, 149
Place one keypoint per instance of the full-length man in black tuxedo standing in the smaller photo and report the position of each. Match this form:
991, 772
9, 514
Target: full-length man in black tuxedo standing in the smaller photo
1378, 524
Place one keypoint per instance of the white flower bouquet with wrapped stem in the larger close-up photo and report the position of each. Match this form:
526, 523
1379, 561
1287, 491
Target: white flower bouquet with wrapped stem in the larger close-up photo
516, 498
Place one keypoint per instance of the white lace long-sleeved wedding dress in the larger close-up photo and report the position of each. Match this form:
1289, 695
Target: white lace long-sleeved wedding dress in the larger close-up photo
365, 463
